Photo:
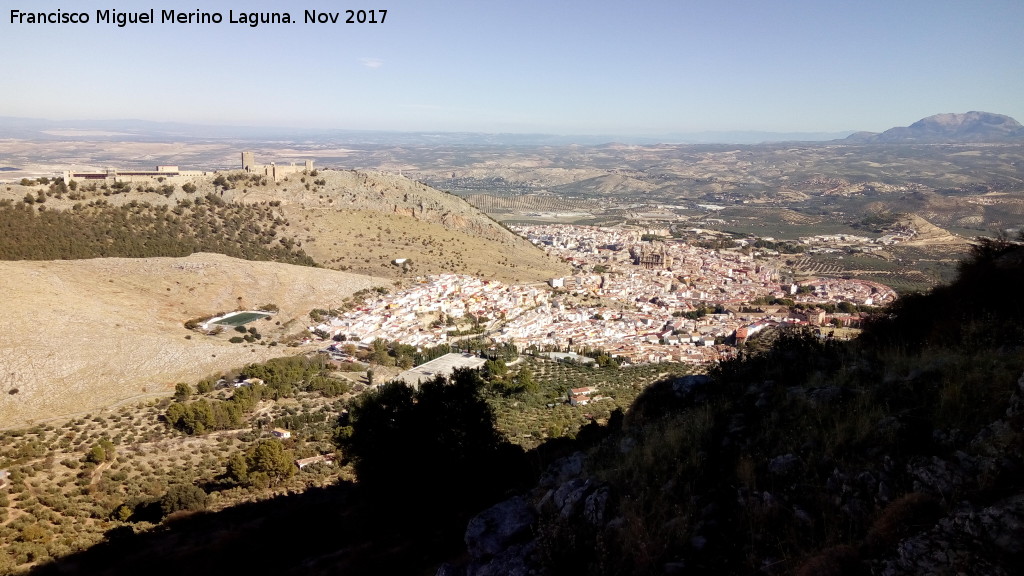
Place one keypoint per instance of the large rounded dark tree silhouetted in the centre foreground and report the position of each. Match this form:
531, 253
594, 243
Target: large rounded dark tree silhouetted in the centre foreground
443, 435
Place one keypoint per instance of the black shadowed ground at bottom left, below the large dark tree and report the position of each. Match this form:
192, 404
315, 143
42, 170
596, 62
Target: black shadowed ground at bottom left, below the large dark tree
322, 531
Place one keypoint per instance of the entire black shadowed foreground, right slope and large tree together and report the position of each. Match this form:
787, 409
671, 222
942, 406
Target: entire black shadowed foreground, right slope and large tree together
814, 457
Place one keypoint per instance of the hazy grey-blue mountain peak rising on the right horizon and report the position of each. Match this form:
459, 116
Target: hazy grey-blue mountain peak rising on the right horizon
968, 128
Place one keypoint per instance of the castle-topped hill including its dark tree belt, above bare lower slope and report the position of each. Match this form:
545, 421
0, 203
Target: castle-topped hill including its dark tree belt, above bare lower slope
358, 222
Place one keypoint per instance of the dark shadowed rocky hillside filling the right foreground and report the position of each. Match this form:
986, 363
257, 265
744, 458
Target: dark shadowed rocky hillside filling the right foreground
899, 455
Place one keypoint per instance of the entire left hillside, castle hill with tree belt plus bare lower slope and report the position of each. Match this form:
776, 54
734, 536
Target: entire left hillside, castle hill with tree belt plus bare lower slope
101, 328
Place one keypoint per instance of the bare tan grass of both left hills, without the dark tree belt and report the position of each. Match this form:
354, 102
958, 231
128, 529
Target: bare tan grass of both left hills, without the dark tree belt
86, 335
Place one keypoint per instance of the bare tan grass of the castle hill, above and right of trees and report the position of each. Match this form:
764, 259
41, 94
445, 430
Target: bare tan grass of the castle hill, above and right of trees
356, 221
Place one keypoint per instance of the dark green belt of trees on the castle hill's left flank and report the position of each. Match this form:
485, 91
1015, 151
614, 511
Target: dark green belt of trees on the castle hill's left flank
141, 230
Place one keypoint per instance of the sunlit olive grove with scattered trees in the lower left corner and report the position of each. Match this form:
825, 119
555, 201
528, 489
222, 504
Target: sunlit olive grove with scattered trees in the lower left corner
72, 484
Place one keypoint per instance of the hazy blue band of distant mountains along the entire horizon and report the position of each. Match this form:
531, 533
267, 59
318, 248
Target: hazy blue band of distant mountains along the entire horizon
969, 128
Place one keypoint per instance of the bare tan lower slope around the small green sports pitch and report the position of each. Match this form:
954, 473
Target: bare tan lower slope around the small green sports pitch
83, 335
